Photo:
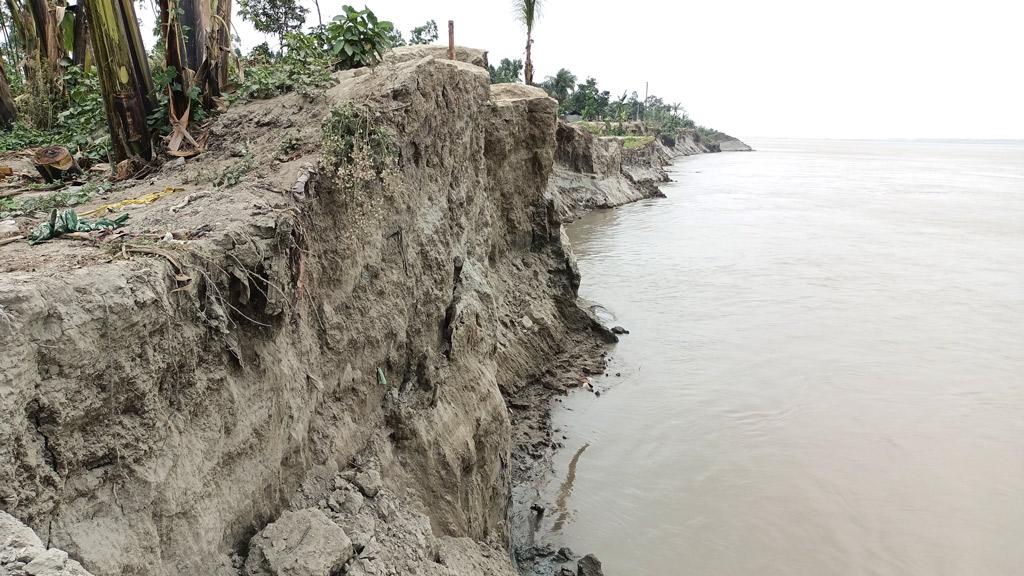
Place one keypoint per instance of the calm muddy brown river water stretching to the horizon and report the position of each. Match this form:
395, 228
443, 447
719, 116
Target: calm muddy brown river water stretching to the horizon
826, 371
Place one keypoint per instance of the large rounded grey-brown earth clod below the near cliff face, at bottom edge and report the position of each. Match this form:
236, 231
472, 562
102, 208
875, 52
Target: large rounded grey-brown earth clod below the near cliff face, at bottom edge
300, 544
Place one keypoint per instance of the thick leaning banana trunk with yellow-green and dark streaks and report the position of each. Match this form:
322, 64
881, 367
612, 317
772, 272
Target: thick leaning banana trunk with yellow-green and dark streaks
124, 76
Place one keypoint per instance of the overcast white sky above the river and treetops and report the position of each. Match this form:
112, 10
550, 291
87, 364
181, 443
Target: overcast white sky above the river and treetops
916, 69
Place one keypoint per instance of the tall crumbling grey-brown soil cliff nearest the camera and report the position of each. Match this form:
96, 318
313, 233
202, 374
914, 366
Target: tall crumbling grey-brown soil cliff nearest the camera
311, 339
